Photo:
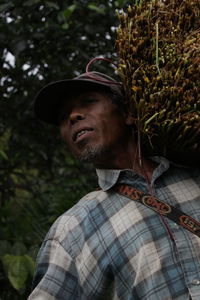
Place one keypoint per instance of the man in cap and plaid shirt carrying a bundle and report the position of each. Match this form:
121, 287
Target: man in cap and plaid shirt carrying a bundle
108, 246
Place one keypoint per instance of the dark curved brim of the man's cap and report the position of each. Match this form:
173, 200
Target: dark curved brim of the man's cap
49, 98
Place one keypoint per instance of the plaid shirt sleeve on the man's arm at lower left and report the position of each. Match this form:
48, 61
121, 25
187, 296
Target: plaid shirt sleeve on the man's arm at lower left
56, 276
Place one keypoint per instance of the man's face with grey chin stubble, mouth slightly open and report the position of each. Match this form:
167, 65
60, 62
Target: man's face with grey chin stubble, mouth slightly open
93, 126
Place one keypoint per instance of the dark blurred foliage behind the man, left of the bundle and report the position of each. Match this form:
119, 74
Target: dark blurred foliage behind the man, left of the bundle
42, 41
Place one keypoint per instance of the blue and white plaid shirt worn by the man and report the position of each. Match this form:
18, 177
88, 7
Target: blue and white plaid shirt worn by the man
110, 247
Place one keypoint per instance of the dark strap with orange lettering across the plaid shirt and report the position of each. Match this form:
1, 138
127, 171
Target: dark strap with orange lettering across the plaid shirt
160, 207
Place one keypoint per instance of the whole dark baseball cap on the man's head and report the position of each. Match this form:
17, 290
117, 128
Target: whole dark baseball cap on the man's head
49, 99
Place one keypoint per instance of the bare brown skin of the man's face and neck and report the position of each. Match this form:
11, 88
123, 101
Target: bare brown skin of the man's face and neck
93, 124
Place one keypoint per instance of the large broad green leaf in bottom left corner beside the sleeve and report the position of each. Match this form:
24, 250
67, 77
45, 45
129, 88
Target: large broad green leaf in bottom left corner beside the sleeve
16, 269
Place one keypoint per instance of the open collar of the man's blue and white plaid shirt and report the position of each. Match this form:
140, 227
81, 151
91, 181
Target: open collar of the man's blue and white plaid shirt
107, 178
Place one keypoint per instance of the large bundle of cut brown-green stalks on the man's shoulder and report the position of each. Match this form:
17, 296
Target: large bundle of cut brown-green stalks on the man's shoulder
158, 45
